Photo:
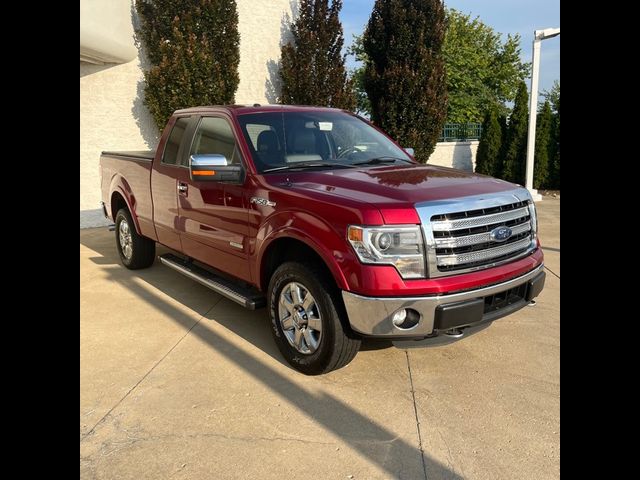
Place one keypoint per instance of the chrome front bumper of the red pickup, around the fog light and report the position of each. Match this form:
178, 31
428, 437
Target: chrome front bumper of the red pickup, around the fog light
372, 316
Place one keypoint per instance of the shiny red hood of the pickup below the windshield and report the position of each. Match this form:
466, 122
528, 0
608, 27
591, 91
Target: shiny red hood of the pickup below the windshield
394, 186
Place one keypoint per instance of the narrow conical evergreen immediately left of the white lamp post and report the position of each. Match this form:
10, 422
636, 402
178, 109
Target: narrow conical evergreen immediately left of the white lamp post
516, 142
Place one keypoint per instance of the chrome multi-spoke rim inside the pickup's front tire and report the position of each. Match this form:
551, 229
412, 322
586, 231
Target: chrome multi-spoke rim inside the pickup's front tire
300, 318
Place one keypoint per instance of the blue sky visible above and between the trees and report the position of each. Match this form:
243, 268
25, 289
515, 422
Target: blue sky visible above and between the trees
504, 16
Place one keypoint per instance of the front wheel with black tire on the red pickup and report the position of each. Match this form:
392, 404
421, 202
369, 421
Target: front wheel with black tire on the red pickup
307, 319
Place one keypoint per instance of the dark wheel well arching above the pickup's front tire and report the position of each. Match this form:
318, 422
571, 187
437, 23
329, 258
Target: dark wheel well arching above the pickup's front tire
287, 250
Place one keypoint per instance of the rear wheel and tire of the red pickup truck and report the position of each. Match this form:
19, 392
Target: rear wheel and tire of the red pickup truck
135, 250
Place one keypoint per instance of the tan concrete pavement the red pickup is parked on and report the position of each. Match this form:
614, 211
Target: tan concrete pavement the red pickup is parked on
177, 382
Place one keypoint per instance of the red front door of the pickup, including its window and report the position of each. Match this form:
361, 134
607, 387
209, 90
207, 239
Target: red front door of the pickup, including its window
213, 215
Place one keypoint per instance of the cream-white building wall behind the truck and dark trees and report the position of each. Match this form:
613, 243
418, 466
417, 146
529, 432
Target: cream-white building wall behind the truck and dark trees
112, 113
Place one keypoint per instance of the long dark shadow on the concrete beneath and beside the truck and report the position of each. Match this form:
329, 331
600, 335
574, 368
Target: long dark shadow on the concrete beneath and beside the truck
380, 446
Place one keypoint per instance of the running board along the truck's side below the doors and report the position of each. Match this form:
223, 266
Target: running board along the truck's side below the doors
245, 296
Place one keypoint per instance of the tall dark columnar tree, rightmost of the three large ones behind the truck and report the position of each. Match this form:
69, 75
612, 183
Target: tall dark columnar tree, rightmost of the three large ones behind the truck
405, 73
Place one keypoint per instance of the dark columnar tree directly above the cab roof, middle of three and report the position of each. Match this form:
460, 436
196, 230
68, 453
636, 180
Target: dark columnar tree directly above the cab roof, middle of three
312, 65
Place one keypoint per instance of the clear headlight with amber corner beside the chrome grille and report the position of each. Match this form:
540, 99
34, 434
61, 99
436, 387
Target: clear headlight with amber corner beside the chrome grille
400, 246
